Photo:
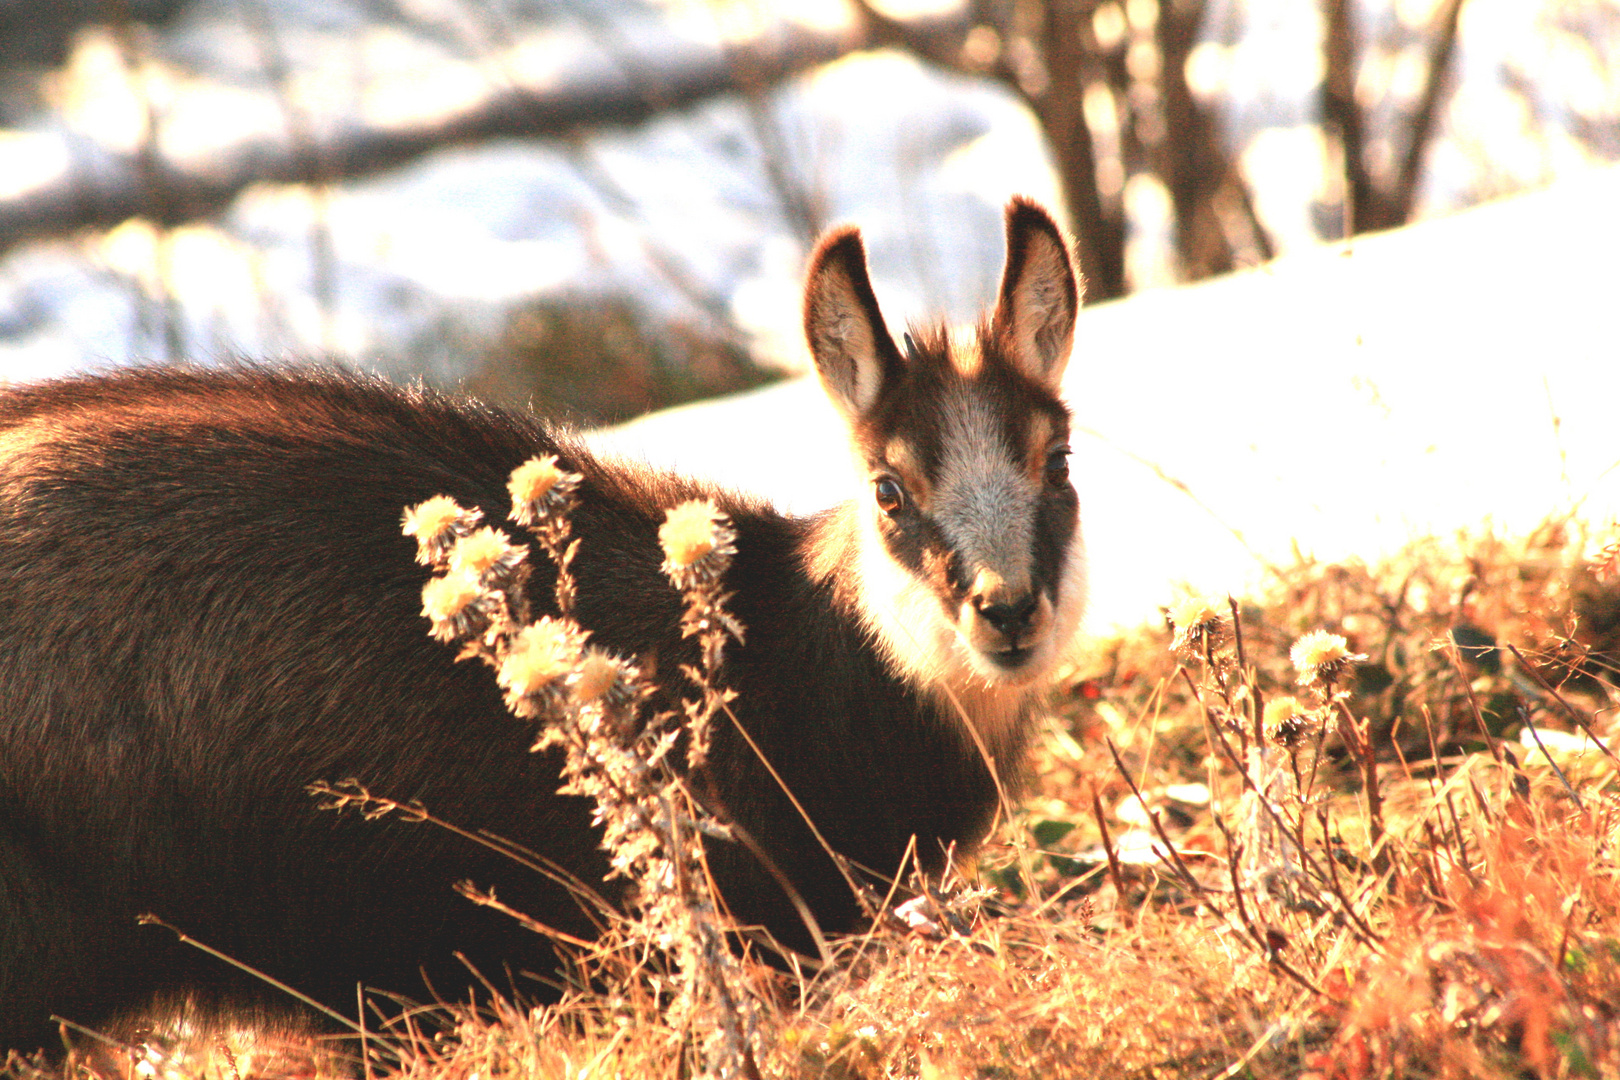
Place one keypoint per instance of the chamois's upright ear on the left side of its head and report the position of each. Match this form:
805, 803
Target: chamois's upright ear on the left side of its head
853, 349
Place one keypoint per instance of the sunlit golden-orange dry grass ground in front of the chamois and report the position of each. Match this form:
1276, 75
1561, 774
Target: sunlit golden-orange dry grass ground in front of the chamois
1247, 851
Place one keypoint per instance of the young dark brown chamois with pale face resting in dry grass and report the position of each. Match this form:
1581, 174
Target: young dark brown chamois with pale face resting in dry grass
207, 605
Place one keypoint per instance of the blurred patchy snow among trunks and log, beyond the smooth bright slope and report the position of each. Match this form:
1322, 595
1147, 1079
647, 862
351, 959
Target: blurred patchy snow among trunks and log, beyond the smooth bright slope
684, 213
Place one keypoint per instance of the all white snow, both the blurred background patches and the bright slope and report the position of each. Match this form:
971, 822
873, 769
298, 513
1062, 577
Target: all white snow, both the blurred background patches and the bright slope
1341, 399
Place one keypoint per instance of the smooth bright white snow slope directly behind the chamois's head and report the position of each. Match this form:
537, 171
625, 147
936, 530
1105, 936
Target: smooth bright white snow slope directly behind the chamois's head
1451, 375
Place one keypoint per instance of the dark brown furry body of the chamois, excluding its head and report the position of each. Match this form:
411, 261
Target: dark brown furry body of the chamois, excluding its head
207, 603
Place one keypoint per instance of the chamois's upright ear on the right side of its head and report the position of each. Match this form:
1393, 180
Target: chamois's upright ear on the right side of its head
1034, 320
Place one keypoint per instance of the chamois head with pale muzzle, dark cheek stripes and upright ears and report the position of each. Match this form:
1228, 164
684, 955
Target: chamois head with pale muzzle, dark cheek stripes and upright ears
970, 563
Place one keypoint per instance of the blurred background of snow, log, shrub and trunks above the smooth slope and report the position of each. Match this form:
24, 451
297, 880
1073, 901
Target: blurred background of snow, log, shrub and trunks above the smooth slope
603, 206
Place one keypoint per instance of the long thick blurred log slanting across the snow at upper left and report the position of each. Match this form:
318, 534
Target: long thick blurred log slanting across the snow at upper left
106, 189
